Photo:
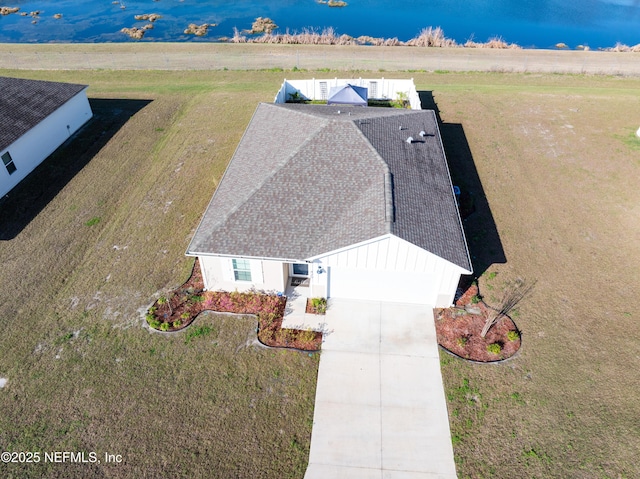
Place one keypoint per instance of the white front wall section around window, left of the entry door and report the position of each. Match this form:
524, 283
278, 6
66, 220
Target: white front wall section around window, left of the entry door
217, 274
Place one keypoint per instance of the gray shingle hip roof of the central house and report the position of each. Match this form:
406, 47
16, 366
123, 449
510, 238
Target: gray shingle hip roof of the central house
310, 179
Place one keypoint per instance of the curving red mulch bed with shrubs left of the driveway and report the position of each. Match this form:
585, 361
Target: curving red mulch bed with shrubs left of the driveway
181, 307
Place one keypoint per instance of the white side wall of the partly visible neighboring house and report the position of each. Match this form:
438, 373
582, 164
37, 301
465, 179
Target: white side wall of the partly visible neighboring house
37, 144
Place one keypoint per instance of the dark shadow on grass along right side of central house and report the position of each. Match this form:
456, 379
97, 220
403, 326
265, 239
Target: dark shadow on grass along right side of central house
480, 228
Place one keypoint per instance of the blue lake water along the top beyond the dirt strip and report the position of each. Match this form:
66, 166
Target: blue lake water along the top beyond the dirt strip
529, 23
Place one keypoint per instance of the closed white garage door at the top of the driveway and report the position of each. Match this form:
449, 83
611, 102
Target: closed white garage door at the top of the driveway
405, 287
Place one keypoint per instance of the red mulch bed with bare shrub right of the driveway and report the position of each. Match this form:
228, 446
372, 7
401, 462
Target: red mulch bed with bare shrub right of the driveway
458, 331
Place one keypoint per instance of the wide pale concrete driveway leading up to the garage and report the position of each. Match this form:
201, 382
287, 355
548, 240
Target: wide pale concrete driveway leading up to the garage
380, 410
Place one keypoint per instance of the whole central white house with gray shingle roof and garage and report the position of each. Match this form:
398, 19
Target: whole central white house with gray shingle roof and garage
341, 201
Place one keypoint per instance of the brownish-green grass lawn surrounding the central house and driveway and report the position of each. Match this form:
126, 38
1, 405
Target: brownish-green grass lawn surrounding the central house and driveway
88, 242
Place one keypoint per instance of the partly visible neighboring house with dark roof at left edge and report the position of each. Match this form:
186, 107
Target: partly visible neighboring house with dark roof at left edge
36, 117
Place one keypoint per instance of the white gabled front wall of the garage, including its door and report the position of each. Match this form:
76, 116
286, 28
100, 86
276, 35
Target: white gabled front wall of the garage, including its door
391, 269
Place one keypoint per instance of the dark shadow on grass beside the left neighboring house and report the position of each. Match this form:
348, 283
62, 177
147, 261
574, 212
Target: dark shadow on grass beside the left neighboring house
22, 204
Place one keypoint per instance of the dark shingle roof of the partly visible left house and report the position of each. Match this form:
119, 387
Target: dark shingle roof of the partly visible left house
25, 103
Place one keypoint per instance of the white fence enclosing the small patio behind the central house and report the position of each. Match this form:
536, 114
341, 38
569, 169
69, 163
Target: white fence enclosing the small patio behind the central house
377, 89
